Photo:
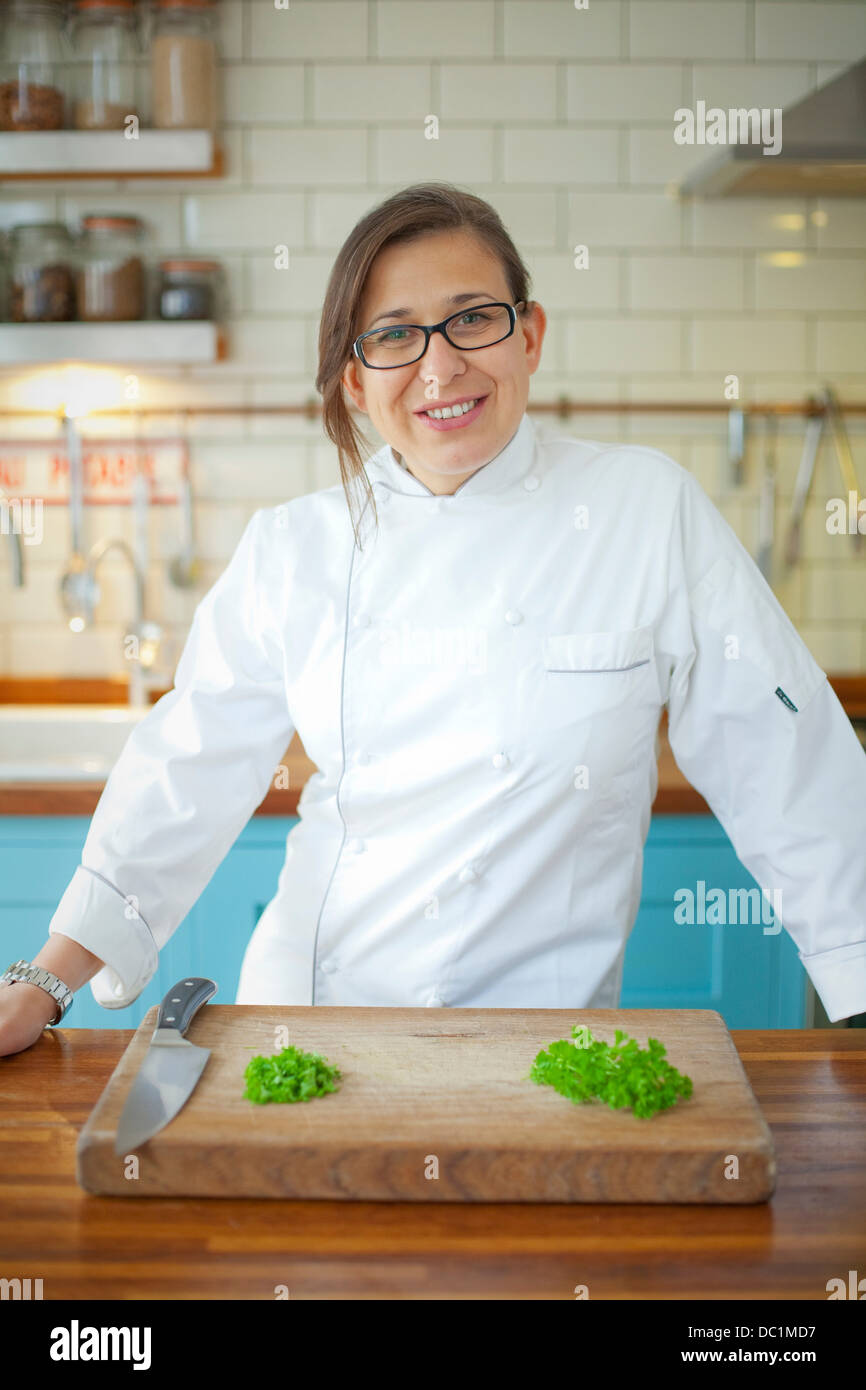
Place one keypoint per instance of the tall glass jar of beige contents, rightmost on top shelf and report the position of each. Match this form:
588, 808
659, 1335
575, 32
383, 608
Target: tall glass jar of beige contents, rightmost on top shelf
184, 66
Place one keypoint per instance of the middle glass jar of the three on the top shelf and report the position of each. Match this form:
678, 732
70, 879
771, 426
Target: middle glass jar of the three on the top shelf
105, 52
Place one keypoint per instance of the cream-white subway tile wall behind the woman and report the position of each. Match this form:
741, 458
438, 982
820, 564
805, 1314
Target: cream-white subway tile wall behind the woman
564, 119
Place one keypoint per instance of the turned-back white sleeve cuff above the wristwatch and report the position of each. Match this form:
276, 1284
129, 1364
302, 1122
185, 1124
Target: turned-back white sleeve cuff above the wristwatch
97, 915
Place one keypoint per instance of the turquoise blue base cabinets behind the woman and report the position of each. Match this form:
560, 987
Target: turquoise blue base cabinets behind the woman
751, 976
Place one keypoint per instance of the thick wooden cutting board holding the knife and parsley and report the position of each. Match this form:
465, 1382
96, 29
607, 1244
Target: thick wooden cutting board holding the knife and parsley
434, 1107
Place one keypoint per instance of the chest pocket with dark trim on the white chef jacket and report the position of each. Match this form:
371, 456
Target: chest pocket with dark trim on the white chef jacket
590, 673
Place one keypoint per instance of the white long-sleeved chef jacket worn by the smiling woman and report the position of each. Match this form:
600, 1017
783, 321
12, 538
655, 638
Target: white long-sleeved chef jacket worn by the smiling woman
480, 687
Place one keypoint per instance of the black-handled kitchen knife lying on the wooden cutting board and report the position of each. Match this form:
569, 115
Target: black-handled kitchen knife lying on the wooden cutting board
170, 1071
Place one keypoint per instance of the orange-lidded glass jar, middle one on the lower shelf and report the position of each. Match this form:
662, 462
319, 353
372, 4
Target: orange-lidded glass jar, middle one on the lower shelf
111, 269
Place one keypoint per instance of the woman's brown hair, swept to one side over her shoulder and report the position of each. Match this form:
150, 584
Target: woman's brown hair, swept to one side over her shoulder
404, 218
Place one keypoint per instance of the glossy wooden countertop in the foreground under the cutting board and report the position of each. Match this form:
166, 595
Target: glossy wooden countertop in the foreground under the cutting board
811, 1086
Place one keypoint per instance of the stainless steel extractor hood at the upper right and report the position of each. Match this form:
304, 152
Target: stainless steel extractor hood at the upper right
824, 149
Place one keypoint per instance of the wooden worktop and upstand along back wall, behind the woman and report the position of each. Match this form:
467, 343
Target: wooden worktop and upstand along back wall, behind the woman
676, 796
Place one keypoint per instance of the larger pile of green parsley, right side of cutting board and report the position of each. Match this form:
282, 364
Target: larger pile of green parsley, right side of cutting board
621, 1074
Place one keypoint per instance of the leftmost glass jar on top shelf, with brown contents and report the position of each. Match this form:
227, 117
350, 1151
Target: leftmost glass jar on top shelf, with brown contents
33, 67
